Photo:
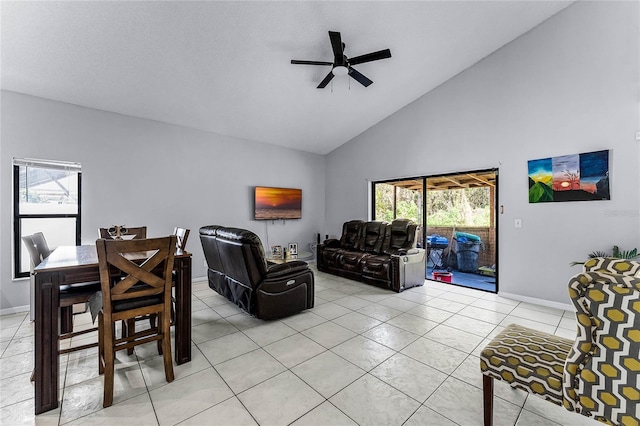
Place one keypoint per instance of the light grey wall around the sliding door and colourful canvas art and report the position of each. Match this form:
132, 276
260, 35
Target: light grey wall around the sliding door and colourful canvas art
571, 85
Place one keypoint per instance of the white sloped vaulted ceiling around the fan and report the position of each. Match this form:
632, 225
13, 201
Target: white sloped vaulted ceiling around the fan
224, 66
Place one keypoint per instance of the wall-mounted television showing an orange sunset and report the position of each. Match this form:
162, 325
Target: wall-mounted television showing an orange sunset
277, 203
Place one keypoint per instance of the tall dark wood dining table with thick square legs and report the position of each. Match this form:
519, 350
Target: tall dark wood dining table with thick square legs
79, 264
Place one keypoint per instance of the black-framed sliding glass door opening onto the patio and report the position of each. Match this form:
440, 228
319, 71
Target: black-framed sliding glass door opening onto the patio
457, 216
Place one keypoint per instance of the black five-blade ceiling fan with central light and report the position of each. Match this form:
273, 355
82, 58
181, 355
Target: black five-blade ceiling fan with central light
342, 65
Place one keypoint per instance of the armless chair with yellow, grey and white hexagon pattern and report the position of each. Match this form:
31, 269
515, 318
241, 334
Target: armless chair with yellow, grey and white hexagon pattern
598, 374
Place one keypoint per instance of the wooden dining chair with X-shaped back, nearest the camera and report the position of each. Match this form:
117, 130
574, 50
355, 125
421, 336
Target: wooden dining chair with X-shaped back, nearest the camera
143, 287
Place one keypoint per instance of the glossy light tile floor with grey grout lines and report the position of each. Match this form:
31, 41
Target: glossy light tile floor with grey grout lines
361, 356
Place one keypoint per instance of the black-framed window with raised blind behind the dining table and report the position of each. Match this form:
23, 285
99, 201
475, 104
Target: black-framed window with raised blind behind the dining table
46, 198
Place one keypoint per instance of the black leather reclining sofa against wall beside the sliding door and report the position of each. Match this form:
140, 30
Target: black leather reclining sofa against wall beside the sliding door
379, 253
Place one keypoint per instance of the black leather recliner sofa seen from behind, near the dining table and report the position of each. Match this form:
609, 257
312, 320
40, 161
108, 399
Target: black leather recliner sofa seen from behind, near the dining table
238, 270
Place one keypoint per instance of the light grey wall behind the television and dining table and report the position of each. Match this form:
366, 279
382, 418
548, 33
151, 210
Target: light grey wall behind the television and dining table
141, 172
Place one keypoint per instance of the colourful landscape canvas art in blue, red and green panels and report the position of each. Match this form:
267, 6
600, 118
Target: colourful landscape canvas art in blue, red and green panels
578, 177
